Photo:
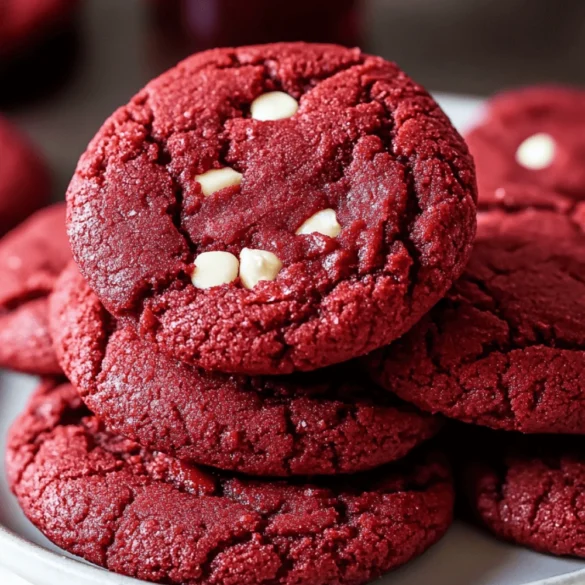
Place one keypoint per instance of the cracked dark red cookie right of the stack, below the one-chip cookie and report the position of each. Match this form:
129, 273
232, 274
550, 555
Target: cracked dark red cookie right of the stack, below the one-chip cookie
505, 348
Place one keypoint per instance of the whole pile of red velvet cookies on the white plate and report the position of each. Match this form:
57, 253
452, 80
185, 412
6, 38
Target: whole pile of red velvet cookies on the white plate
273, 308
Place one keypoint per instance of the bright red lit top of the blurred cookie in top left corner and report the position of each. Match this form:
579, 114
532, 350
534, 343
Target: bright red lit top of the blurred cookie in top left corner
24, 22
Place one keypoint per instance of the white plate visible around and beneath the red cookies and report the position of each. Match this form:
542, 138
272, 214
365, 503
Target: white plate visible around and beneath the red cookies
466, 556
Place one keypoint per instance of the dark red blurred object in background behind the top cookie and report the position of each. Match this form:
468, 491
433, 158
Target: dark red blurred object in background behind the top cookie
192, 25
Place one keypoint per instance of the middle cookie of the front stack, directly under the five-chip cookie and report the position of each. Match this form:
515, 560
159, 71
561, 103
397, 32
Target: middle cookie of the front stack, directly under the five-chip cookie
322, 422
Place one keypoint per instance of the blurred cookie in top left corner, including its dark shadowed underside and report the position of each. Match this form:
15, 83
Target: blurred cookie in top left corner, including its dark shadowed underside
38, 47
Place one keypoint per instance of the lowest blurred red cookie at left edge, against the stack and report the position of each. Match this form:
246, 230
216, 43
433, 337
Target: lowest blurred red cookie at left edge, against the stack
31, 258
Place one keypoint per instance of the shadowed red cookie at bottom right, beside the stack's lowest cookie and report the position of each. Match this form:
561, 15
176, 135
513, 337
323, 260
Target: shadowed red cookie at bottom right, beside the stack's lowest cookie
530, 490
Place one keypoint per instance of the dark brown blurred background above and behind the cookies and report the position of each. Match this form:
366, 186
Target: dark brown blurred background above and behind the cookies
63, 89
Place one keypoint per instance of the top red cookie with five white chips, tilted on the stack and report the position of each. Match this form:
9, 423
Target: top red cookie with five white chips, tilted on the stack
273, 209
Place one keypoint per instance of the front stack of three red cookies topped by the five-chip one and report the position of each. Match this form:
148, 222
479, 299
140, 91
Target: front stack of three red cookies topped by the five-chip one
247, 225
